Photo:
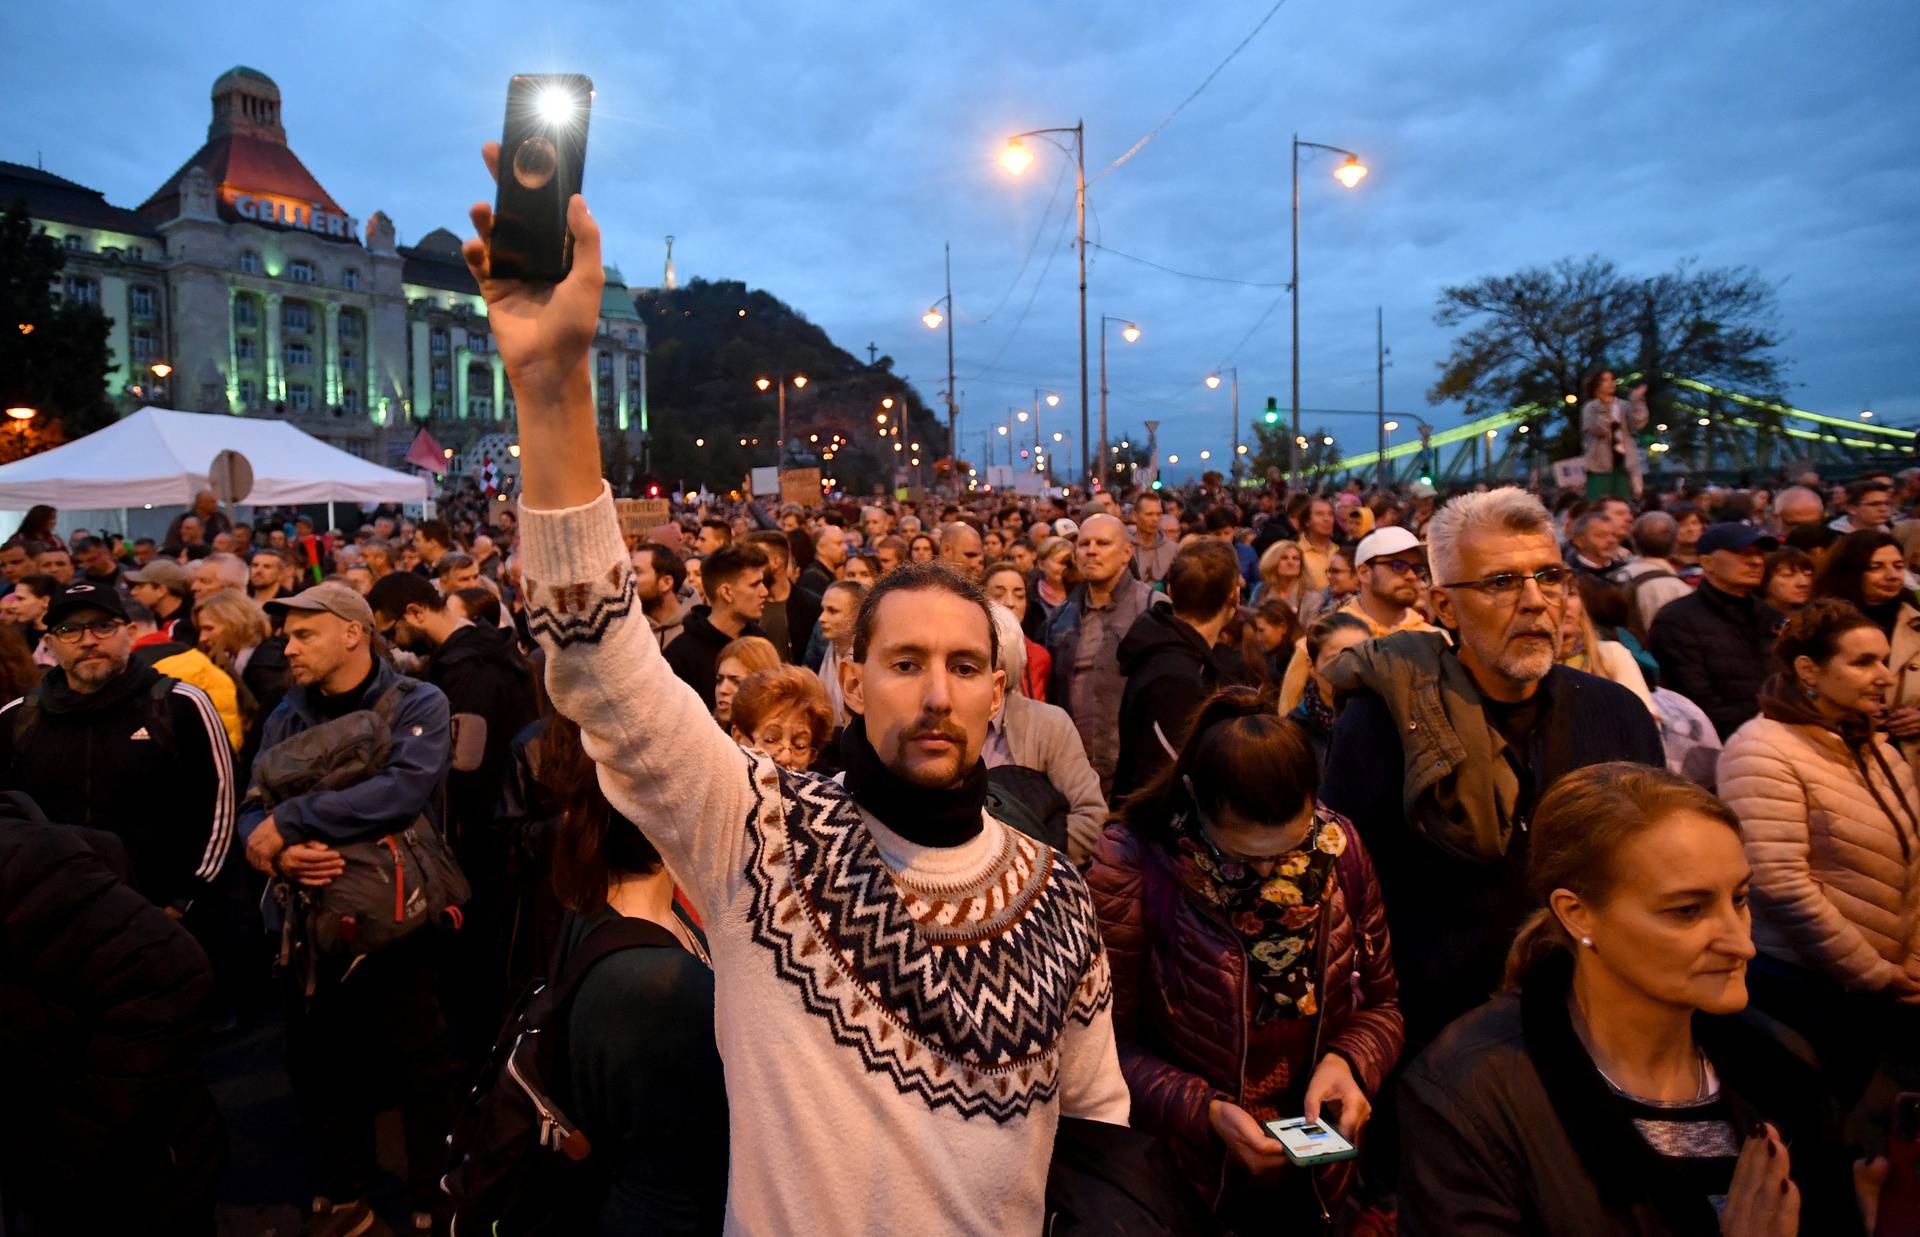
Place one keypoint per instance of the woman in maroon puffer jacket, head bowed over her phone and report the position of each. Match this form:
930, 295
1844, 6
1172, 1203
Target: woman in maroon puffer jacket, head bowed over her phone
1253, 977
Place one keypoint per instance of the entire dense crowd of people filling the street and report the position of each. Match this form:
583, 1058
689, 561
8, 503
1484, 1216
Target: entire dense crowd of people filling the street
1562, 856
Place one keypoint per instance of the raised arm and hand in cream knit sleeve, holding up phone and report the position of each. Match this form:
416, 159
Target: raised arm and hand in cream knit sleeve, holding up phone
663, 762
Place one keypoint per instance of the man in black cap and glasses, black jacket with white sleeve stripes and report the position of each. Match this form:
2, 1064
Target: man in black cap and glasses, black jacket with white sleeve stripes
112, 744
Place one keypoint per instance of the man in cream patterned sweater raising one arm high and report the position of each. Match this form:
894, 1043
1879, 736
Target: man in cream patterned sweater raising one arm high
909, 994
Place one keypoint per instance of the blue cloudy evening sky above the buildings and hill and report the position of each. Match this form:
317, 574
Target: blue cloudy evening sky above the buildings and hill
827, 153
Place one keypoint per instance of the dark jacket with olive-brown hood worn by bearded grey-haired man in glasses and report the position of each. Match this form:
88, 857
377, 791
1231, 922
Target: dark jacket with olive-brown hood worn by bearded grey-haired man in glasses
1435, 790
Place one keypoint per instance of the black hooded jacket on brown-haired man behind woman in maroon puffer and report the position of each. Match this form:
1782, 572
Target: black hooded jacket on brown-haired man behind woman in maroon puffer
1170, 673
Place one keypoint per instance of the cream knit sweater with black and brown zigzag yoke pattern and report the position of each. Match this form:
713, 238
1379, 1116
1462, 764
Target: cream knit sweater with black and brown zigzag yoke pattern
901, 1027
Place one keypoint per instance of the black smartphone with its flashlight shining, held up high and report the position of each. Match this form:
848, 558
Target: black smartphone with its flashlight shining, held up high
542, 158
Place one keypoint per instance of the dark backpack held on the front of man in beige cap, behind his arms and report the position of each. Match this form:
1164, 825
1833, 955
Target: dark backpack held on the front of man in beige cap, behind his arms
393, 886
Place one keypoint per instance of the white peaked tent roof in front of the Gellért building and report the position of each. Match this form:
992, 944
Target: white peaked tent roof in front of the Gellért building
162, 458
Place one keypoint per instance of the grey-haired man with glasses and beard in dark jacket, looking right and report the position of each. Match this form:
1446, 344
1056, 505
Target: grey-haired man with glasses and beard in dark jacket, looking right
1443, 752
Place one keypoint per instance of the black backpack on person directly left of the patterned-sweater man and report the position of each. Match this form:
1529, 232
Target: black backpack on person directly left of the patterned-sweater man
519, 1167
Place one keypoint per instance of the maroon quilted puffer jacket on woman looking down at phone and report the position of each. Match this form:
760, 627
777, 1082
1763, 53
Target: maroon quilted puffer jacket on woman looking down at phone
1180, 996
